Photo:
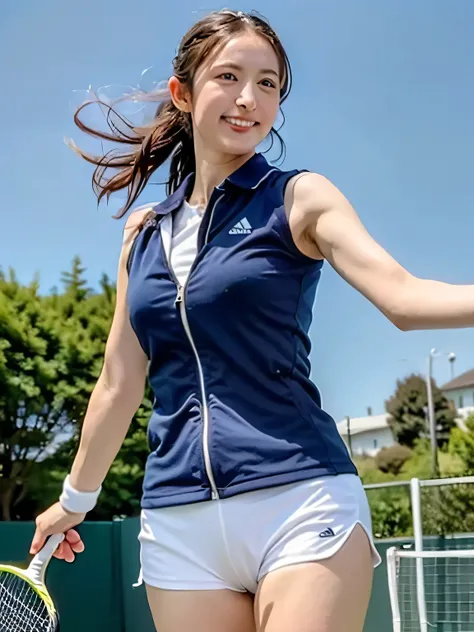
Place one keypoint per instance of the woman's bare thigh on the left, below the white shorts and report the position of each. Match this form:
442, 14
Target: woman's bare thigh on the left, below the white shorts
201, 610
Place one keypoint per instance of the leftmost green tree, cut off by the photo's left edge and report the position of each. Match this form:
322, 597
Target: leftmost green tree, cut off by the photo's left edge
29, 411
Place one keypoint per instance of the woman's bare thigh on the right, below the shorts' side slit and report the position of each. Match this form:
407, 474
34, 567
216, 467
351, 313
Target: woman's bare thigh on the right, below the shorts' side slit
327, 596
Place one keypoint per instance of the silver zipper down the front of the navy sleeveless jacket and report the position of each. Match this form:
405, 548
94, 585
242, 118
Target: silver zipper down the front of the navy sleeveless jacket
181, 302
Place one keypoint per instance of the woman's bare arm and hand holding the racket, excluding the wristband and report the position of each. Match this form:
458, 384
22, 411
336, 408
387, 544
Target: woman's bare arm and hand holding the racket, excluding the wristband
116, 397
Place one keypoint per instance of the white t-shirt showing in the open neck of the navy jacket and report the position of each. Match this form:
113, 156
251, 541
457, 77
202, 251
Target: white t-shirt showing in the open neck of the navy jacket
179, 232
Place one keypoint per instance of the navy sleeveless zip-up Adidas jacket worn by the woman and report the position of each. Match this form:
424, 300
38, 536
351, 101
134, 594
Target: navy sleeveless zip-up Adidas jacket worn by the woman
234, 408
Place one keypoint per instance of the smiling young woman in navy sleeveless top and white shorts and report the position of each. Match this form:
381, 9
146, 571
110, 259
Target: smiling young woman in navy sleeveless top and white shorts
254, 518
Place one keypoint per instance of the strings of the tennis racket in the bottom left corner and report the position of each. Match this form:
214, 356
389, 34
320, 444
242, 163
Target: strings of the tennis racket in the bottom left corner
21, 608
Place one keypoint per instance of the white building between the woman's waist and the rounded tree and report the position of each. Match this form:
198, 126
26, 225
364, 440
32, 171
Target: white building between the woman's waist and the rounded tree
366, 435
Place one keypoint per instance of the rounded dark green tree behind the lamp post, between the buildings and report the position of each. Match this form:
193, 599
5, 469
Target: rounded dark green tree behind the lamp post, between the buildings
407, 409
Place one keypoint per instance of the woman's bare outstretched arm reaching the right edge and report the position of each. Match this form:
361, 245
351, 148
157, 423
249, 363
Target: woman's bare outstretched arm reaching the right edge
328, 226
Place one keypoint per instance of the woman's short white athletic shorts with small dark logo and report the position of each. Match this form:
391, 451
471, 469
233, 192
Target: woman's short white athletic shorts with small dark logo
232, 543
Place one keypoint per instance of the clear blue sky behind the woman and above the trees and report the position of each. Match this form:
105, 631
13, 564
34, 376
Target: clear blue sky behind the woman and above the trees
382, 105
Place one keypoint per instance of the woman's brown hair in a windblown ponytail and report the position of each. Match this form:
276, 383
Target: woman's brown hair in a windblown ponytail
170, 133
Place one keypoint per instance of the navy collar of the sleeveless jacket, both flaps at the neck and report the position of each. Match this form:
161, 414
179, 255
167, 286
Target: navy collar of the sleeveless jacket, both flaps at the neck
249, 176
